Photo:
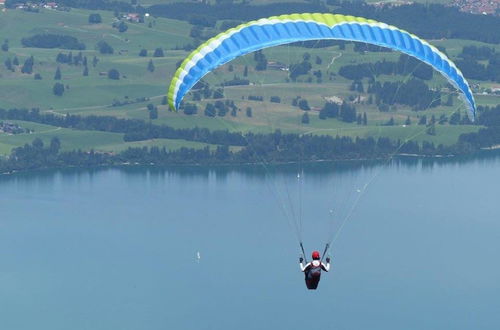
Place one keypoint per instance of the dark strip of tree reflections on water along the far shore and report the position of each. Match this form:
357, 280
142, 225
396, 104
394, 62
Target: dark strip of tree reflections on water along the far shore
252, 171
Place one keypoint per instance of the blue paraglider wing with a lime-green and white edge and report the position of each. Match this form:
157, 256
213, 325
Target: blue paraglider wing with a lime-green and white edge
284, 29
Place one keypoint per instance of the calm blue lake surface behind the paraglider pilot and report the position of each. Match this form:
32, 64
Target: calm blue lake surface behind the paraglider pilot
116, 248
